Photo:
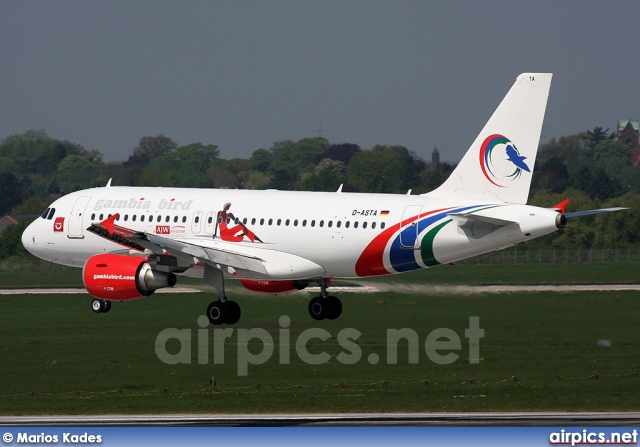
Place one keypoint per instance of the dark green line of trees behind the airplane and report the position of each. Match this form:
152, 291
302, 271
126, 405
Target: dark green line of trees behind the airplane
591, 168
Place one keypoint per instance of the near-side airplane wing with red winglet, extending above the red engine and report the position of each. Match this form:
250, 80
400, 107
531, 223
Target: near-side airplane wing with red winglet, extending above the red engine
192, 253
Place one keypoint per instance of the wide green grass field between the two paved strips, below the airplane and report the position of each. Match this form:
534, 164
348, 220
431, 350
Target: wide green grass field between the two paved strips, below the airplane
539, 352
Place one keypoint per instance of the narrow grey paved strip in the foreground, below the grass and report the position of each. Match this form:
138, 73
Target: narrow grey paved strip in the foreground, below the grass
337, 419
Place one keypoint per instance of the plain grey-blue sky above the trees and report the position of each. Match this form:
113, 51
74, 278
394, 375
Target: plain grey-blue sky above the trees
245, 74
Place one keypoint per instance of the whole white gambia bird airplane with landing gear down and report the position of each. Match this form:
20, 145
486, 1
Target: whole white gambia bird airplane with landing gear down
132, 241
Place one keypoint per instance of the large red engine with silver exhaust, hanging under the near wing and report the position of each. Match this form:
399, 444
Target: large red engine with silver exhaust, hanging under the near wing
120, 277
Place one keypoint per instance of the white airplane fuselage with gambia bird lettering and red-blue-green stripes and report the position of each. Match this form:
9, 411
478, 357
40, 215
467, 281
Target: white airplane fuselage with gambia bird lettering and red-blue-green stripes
297, 235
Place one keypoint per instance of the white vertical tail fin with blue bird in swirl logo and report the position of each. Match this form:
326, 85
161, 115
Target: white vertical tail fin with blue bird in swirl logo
498, 166
